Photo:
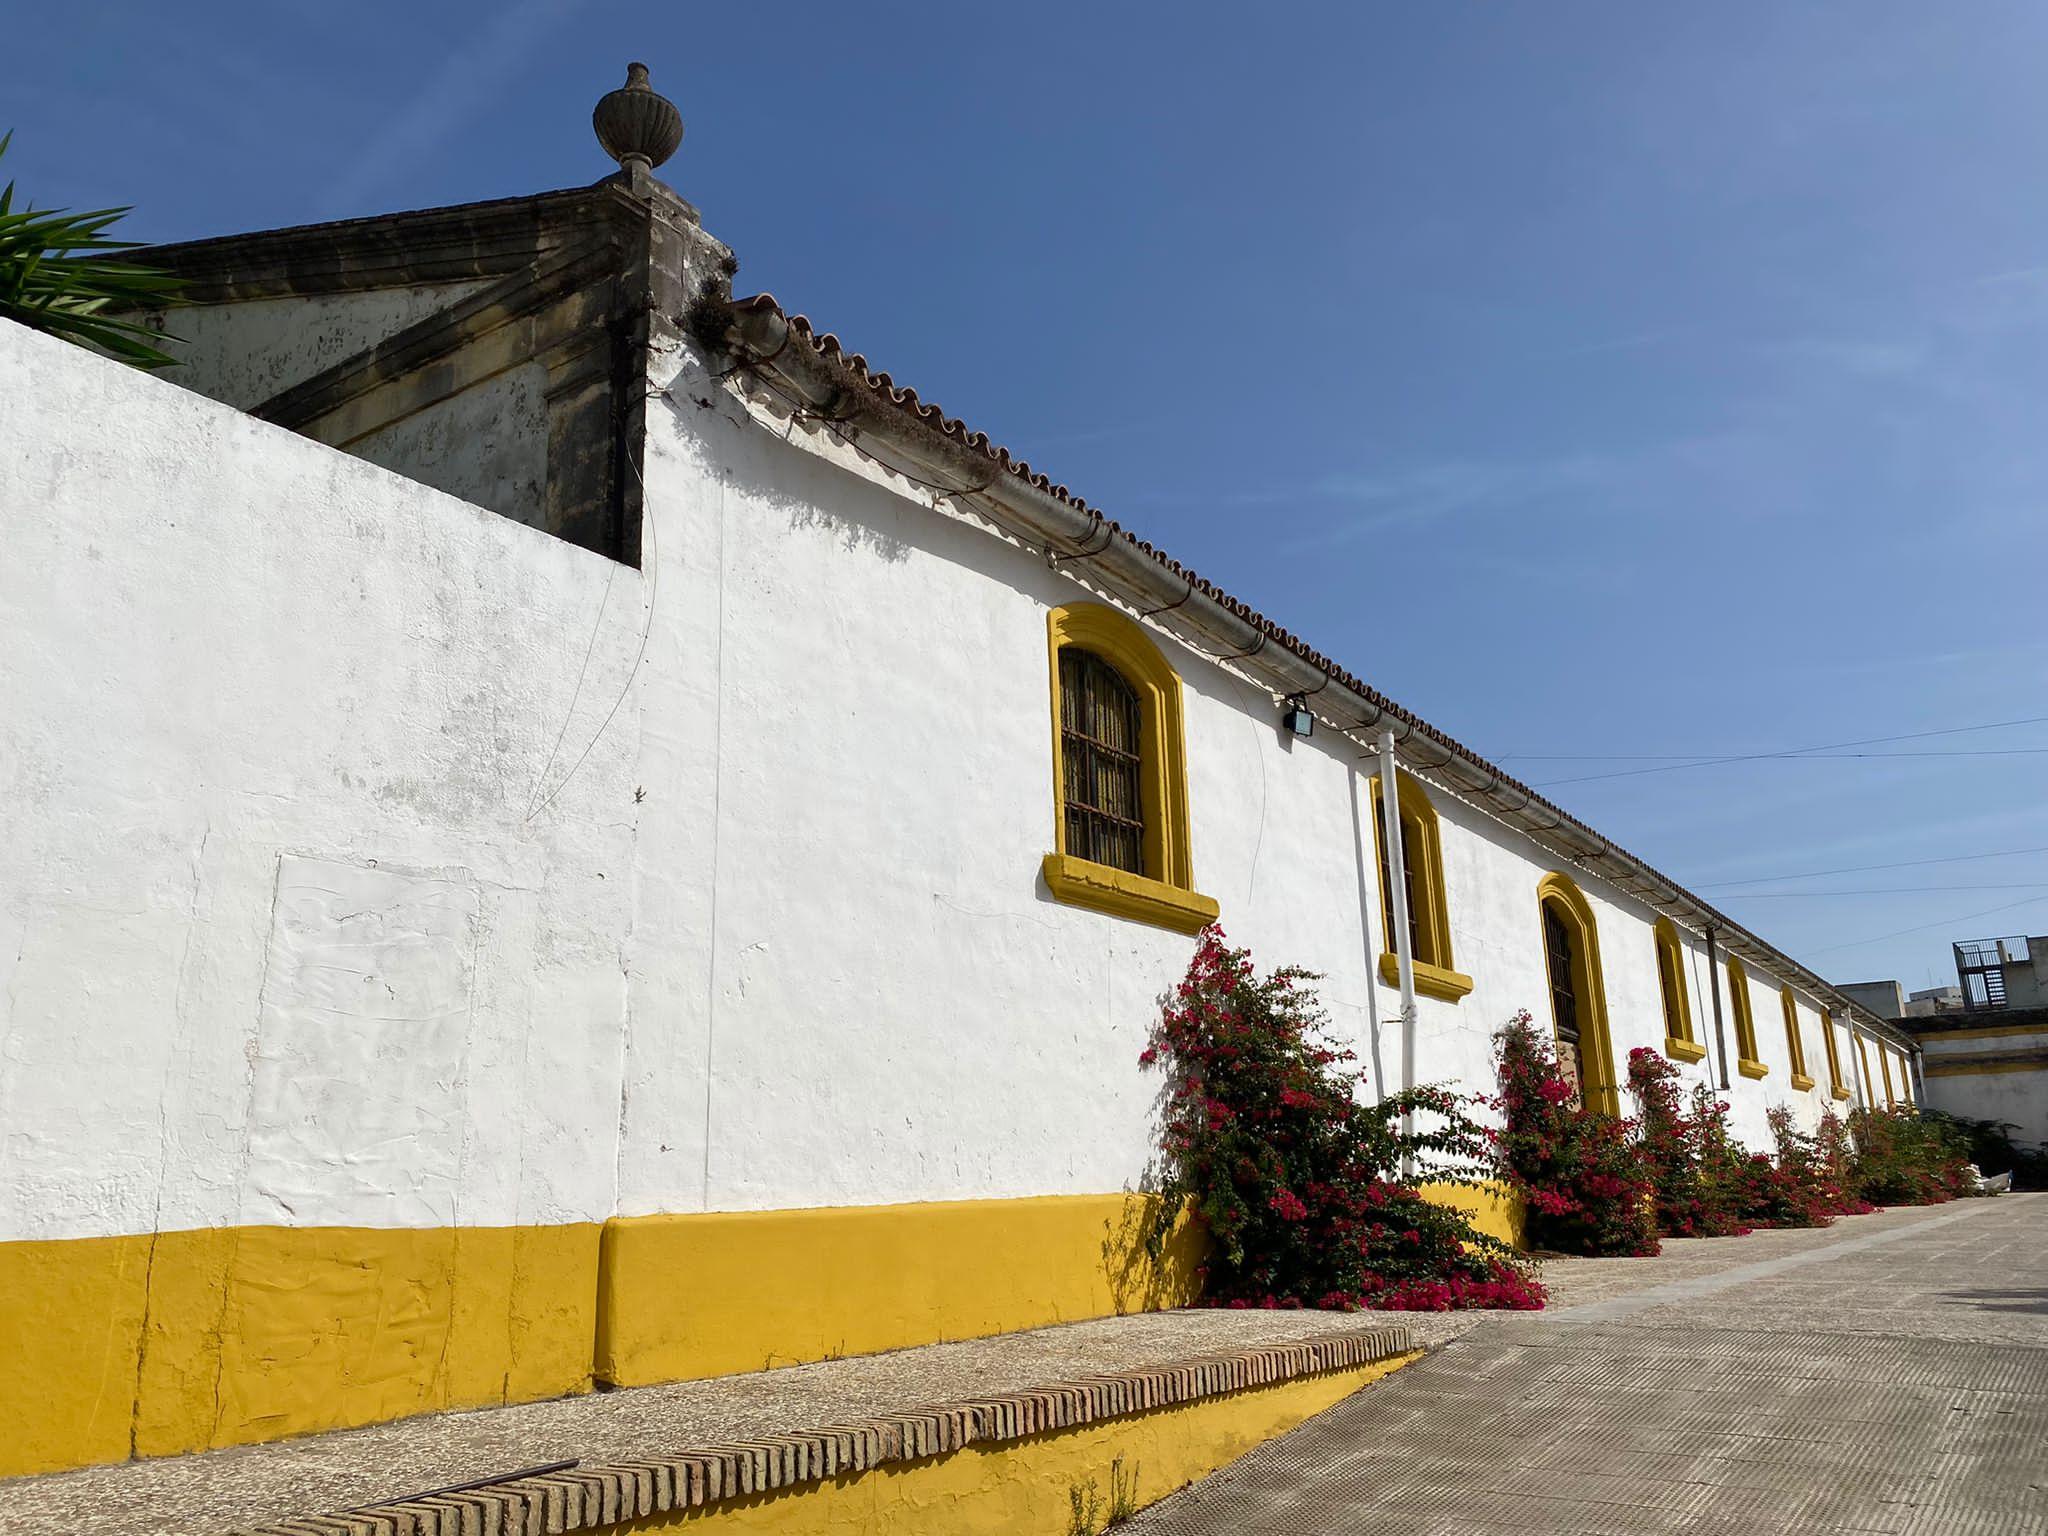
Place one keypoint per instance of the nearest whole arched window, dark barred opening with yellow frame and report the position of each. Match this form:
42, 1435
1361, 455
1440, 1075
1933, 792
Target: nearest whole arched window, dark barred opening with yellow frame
1119, 773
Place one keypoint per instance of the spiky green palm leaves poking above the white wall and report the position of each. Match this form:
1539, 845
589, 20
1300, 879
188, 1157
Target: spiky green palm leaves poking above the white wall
58, 278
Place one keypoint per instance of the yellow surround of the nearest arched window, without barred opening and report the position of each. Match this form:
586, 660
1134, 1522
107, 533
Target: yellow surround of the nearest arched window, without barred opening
1164, 894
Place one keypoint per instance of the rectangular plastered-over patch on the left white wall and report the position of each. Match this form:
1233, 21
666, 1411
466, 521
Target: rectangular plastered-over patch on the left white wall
361, 1054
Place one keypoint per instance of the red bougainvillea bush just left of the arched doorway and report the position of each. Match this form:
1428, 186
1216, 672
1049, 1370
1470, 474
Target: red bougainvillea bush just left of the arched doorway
1580, 1172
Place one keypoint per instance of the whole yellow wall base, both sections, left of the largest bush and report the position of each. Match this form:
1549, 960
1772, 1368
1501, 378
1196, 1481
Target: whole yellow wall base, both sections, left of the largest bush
194, 1340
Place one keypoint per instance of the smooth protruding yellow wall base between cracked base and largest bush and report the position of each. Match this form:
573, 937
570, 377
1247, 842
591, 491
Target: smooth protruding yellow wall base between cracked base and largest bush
714, 1295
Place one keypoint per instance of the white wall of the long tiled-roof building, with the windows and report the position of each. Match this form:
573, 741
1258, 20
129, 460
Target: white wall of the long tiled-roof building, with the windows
849, 777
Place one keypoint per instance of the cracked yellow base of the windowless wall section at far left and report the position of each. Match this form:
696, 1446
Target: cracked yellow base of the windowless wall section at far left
191, 1340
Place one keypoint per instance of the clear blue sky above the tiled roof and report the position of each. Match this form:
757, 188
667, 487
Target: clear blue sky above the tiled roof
1594, 378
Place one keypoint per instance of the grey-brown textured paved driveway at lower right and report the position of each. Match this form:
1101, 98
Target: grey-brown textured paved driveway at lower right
1887, 1375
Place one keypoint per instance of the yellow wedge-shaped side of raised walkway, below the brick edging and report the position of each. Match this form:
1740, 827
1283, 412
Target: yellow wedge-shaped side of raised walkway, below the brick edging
1025, 1488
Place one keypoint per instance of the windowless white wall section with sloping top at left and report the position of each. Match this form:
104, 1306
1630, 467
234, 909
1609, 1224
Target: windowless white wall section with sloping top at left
280, 941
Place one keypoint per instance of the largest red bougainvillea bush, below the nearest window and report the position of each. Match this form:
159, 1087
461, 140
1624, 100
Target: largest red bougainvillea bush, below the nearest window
1271, 1140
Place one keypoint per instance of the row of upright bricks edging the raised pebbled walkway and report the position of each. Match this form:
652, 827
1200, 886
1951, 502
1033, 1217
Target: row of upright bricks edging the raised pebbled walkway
591, 1498
